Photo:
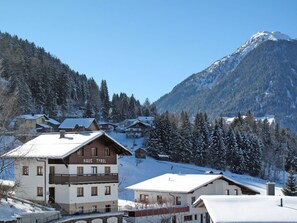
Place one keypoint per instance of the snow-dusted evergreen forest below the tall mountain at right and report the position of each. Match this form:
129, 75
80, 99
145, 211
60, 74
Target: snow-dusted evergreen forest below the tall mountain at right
246, 146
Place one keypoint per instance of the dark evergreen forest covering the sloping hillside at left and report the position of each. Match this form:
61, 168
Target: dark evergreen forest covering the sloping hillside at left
41, 83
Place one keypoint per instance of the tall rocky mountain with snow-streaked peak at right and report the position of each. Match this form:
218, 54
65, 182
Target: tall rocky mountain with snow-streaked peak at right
259, 76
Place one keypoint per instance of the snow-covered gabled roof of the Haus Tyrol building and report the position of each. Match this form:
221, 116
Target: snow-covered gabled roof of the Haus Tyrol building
50, 145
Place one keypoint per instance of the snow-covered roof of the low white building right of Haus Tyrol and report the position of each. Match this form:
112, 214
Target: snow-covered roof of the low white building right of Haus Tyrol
180, 183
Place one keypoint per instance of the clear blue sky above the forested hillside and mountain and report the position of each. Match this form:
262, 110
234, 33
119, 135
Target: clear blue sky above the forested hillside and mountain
143, 47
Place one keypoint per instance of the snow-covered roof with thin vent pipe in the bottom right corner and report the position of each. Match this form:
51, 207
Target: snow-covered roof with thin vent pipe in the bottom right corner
227, 209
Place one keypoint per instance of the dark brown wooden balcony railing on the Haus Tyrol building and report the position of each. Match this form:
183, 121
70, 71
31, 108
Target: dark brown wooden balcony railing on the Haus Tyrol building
83, 178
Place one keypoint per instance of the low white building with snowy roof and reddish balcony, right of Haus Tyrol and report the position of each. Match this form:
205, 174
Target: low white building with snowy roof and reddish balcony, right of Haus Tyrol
169, 197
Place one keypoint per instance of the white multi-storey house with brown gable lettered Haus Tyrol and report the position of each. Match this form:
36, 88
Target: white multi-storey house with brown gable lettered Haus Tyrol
76, 171
